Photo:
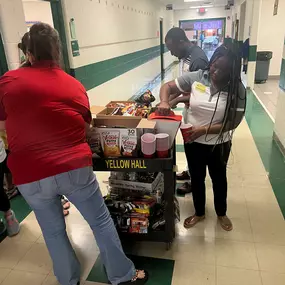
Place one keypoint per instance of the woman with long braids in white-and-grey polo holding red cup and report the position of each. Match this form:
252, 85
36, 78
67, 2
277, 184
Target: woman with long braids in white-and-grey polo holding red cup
217, 106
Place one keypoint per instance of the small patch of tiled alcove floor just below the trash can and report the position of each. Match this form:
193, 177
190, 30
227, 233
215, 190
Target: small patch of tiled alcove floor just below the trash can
268, 94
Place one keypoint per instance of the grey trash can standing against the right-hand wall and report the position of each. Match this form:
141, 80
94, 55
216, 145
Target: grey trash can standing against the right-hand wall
262, 66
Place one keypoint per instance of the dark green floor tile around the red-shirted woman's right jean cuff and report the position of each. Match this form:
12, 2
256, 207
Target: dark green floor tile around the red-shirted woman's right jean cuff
160, 270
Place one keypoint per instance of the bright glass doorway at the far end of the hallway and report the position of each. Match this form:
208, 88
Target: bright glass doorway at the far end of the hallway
207, 33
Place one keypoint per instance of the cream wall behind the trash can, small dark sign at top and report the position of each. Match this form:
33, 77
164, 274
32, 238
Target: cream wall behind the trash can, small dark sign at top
271, 33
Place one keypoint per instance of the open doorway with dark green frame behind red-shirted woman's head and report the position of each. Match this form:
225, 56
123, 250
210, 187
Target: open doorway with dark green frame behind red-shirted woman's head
50, 12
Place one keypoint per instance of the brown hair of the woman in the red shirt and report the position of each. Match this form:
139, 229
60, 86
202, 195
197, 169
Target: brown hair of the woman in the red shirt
44, 43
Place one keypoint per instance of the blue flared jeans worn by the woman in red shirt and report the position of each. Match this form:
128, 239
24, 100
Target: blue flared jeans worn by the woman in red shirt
81, 188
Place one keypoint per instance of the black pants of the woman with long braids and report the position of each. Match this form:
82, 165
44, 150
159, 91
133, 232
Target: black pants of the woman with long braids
199, 156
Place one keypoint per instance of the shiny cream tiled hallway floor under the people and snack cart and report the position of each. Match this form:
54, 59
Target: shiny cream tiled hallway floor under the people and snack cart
252, 254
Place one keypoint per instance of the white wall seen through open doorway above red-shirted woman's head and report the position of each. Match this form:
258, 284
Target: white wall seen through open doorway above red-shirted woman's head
38, 11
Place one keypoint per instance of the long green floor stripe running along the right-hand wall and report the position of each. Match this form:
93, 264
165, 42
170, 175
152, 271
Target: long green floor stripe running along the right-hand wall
262, 127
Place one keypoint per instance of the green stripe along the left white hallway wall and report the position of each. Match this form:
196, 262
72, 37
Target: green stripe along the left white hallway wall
95, 74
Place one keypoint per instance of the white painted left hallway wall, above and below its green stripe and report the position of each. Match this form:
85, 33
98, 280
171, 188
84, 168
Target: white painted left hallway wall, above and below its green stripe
109, 30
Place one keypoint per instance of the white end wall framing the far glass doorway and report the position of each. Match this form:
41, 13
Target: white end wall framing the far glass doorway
216, 12
